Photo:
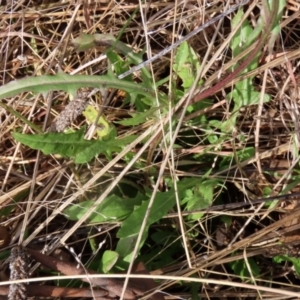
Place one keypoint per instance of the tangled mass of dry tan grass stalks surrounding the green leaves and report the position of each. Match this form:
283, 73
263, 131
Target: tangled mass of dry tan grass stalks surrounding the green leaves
36, 39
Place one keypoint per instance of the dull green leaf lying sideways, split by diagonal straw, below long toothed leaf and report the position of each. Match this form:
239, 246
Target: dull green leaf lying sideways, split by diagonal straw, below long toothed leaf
112, 209
